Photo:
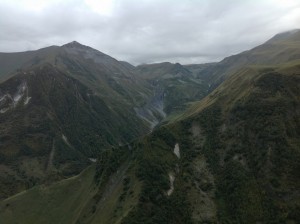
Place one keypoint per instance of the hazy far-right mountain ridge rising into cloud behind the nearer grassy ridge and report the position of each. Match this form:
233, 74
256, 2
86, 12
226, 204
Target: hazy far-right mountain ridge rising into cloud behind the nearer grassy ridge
282, 48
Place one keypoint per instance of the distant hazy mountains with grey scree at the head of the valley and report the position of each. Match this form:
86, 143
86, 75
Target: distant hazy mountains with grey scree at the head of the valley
176, 84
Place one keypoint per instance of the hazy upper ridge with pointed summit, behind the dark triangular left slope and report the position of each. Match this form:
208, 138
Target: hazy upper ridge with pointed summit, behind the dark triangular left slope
111, 79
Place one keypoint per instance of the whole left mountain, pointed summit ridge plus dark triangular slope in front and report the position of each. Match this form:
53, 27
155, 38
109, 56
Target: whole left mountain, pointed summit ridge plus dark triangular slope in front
60, 106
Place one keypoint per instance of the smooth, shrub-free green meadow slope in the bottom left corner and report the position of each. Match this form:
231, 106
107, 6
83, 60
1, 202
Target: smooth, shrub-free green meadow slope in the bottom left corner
61, 202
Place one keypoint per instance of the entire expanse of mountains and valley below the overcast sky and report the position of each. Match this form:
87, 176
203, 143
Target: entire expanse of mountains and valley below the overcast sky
207, 143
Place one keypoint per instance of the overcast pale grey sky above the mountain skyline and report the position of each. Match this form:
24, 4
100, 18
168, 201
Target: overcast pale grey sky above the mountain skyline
146, 31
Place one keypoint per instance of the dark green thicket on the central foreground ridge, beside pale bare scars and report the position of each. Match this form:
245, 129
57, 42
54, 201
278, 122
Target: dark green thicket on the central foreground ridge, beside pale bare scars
154, 161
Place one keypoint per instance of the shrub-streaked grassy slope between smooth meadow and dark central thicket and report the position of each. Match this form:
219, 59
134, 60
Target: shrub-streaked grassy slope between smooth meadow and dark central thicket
117, 188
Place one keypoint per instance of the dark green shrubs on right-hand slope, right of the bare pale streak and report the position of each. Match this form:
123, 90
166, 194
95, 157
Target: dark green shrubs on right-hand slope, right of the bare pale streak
250, 153
